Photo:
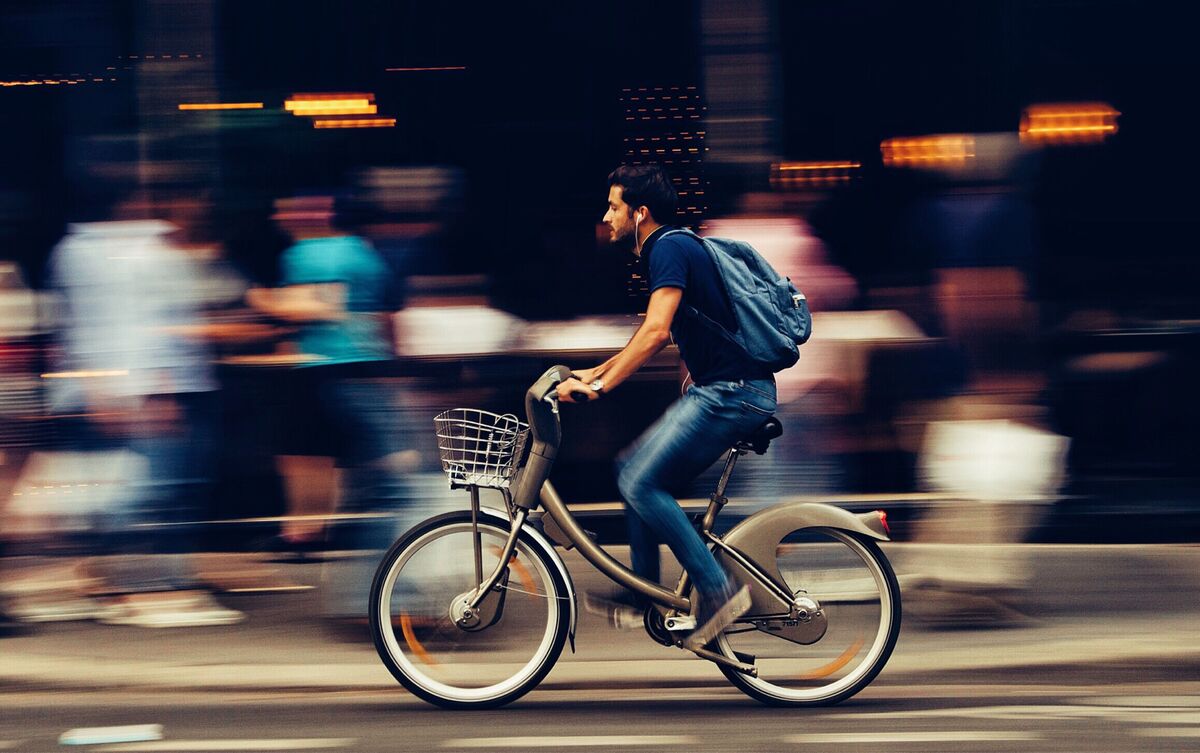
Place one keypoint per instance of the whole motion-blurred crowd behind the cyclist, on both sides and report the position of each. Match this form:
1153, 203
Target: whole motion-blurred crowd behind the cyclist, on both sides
155, 388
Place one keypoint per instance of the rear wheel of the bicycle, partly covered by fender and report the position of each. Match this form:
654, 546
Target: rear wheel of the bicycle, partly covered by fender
860, 598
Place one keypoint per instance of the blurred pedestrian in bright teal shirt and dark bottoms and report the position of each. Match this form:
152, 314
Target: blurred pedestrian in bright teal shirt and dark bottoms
334, 288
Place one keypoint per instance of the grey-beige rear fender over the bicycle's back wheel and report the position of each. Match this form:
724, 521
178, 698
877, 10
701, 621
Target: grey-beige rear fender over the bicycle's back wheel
759, 537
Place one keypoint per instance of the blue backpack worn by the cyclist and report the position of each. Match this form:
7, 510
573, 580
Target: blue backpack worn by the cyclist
772, 316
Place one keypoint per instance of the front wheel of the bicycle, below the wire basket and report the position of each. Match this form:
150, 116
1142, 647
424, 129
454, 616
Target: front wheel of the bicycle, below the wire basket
491, 664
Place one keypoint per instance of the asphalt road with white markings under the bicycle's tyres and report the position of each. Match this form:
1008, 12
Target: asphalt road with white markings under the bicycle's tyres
1120, 710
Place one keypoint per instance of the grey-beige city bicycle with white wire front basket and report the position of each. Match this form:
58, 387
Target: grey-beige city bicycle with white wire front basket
473, 609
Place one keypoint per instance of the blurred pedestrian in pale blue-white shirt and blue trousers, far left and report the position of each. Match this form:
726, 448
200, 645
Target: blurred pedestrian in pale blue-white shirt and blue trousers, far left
133, 379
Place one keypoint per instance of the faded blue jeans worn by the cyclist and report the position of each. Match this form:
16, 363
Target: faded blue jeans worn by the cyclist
691, 437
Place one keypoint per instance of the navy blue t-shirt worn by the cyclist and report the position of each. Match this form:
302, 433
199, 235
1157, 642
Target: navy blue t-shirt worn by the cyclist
681, 262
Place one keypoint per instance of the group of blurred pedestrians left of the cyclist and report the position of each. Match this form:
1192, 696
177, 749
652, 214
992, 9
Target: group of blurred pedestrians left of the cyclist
151, 376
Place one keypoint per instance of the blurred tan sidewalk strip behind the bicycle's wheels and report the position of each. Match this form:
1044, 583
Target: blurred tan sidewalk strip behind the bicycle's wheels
1099, 607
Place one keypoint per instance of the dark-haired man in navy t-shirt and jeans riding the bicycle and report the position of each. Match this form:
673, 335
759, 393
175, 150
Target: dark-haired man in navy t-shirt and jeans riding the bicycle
729, 397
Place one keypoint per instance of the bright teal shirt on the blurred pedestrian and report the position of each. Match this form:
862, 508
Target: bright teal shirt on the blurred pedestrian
351, 262
